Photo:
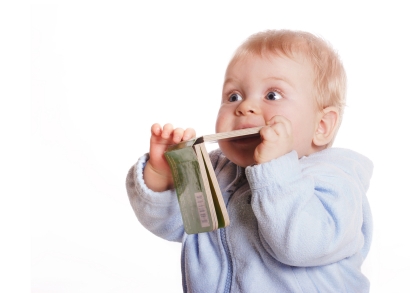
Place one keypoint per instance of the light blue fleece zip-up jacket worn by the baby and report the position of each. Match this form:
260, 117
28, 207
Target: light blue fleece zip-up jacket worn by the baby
297, 225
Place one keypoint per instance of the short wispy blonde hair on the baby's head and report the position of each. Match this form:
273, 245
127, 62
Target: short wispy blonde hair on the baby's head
330, 77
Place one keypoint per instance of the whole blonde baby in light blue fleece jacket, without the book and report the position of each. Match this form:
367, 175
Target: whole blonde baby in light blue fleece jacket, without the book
300, 219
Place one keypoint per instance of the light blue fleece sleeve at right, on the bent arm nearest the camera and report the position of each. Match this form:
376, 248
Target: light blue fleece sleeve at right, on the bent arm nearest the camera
311, 212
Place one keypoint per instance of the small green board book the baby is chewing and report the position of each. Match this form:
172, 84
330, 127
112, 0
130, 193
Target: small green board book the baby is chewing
200, 198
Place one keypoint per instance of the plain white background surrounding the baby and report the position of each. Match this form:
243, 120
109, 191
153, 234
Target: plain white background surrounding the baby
103, 71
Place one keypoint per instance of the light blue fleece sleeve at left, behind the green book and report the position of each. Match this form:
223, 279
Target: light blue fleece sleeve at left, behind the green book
157, 211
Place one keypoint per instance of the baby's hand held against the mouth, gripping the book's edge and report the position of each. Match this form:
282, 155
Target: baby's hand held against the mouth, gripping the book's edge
277, 140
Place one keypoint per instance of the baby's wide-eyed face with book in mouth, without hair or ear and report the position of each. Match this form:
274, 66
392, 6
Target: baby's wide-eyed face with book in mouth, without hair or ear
258, 88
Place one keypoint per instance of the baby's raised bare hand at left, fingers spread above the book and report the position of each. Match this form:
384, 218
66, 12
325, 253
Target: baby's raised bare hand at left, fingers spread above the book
157, 174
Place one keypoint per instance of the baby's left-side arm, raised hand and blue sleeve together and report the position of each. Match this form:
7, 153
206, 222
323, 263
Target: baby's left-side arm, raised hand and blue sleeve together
149, 184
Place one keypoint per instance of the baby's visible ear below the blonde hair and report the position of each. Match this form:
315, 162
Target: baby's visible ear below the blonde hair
327, 126
